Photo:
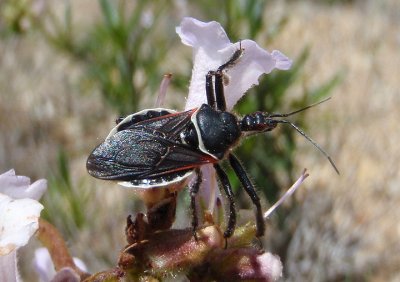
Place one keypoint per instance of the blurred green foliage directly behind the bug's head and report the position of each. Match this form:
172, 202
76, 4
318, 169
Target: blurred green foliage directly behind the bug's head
270, 156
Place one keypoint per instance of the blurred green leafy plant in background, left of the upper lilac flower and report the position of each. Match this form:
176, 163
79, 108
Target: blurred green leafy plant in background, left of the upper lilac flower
122, 52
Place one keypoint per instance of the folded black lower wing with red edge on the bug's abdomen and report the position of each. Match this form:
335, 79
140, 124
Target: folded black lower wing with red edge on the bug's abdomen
143, 157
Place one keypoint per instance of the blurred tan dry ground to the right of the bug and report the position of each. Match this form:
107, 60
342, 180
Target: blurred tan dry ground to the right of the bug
350, 224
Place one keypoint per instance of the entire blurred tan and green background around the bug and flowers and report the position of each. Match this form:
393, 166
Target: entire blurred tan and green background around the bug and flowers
68, 69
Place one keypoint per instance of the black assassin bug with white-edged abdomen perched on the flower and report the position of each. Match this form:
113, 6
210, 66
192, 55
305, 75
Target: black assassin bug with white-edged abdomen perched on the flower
161, 147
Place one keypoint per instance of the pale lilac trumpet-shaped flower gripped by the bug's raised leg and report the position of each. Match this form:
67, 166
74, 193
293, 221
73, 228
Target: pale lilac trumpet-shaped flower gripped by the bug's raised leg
212, 48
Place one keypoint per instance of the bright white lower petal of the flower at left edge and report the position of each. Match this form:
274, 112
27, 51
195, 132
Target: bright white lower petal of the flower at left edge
19, 220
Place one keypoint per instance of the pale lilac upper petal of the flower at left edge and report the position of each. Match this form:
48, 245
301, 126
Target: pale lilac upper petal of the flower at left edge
19, 187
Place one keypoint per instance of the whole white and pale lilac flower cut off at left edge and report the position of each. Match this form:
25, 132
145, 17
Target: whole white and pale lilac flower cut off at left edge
19, 218
